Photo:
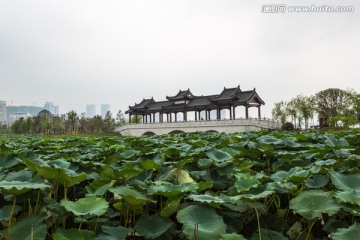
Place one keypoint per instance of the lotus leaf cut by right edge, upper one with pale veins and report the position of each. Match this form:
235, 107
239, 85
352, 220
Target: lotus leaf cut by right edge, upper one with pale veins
345, 181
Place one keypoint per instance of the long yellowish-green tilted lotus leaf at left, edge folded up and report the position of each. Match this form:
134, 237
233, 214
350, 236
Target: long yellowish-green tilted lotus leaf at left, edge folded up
63, 176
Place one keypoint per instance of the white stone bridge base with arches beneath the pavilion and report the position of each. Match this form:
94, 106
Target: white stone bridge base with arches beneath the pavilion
227, 126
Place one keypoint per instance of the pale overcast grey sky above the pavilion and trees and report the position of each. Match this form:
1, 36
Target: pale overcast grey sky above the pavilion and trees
118, 52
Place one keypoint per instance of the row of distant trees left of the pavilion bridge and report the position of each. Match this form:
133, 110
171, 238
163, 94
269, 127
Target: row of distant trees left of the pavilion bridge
71, 122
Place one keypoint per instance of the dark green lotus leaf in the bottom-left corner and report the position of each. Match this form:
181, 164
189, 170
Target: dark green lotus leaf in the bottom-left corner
29, 228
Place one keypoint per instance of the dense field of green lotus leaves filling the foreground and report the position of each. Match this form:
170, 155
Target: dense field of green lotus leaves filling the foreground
251, 185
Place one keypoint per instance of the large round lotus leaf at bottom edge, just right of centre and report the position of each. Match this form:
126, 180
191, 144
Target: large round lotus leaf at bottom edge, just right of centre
209, 225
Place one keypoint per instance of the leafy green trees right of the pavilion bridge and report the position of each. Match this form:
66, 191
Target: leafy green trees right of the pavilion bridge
334, 107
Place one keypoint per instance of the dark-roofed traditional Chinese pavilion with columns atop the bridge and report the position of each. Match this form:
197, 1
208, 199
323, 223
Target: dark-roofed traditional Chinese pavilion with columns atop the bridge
185, 102
